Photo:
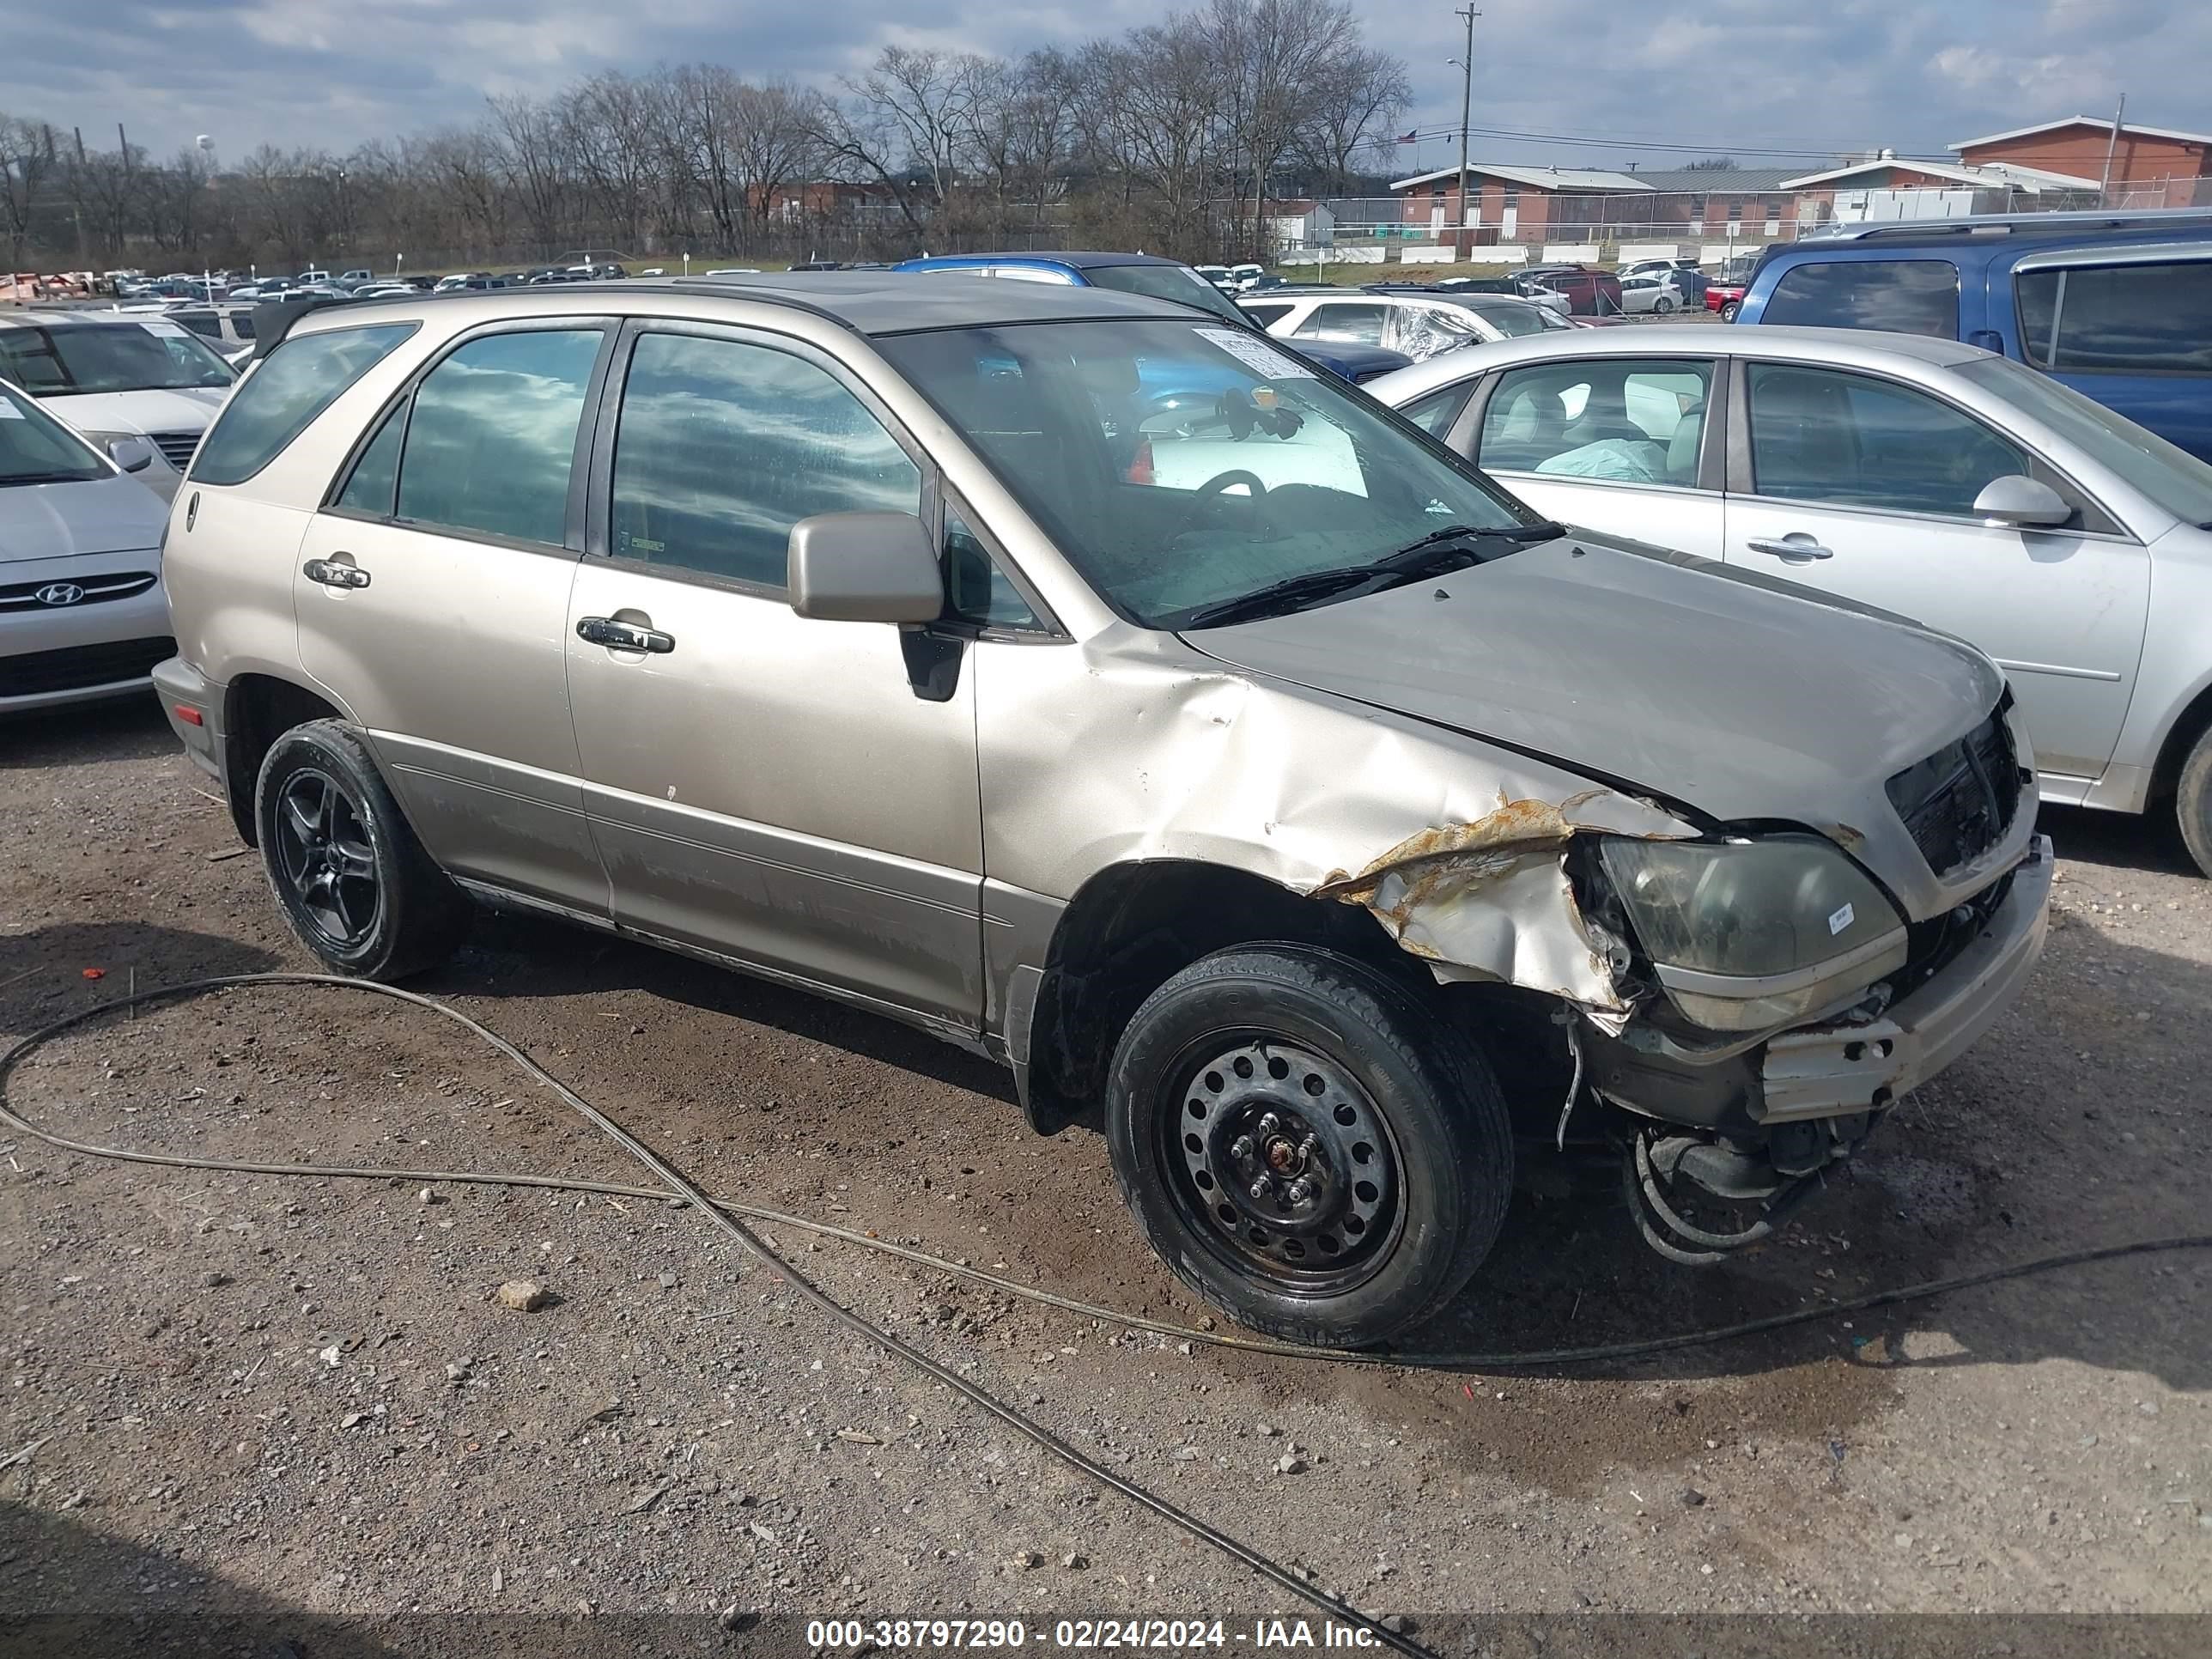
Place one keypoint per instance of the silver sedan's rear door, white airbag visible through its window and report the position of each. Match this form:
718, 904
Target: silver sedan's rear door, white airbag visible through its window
1614, 444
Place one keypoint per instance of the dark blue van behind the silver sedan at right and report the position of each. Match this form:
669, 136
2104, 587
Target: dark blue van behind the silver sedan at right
2114, 304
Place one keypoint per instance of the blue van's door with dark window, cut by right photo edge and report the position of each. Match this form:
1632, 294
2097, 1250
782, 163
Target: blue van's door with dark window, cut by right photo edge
2131, 328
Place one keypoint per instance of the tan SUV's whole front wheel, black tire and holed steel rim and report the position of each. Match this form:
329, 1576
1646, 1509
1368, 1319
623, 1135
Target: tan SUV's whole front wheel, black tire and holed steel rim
1306, 1145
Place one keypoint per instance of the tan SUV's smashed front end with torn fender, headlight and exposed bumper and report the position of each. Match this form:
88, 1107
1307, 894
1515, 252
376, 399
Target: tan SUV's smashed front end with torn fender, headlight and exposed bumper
1749, 1003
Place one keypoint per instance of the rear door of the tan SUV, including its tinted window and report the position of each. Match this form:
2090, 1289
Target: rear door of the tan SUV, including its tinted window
432, 603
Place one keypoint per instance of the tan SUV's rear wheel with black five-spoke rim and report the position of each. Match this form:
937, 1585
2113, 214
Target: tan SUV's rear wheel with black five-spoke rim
344, 862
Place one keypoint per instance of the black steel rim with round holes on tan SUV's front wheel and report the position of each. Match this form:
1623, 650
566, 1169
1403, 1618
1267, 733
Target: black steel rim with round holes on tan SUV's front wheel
1284, 1165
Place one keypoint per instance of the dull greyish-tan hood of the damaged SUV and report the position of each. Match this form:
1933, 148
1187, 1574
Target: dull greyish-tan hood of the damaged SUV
1742, 698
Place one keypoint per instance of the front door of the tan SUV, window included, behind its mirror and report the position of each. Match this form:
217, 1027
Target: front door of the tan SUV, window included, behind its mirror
789, 793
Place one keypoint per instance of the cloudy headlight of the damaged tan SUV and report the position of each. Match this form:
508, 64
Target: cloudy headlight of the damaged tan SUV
1751, 935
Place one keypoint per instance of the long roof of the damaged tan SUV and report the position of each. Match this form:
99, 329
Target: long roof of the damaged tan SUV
866, 302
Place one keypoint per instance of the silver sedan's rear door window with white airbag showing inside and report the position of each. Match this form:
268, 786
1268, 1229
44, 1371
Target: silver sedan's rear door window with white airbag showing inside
1627, 421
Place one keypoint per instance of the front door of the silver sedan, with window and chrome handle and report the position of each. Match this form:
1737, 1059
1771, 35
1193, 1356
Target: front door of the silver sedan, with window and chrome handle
1866, 488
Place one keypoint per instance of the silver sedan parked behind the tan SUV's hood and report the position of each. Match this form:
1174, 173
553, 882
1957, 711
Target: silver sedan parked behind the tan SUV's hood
1923, 477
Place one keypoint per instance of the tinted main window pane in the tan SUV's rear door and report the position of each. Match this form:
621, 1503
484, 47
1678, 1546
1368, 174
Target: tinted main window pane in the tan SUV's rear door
492, 439
